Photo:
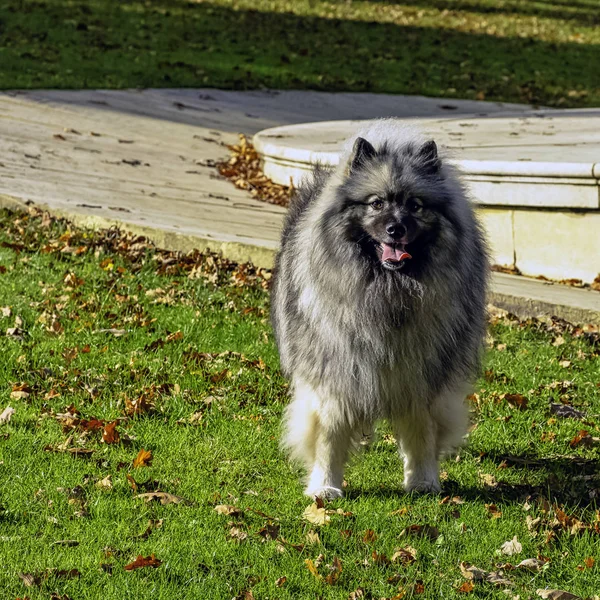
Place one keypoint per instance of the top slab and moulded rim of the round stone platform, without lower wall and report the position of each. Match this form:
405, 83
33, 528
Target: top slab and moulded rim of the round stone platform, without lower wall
559, 151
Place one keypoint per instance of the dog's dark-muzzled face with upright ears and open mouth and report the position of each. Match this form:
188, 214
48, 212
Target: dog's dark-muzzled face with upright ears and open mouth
393, 203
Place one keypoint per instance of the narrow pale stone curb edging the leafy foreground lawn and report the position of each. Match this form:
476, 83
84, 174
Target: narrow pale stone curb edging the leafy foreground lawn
519, 295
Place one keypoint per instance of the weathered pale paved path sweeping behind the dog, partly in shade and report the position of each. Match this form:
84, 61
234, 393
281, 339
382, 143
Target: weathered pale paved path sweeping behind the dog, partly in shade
143, 158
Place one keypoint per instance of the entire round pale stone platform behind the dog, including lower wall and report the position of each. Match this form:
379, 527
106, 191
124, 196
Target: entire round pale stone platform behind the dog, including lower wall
534, 178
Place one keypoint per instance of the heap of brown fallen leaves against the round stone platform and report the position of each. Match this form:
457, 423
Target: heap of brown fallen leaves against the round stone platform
244, 169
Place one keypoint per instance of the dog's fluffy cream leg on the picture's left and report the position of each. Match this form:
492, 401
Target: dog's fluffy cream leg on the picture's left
318, 436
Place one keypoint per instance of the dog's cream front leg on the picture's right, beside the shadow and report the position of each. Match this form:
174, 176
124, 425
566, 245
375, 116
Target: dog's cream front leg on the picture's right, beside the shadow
417, 443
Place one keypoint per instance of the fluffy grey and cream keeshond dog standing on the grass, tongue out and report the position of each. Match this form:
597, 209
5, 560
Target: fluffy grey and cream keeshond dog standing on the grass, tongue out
379, 307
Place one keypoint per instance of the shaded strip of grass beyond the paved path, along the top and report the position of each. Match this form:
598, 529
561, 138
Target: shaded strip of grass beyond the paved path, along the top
538, 52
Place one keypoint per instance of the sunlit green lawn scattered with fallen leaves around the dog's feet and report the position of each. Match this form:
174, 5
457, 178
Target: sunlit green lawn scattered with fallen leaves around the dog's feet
64, 286
